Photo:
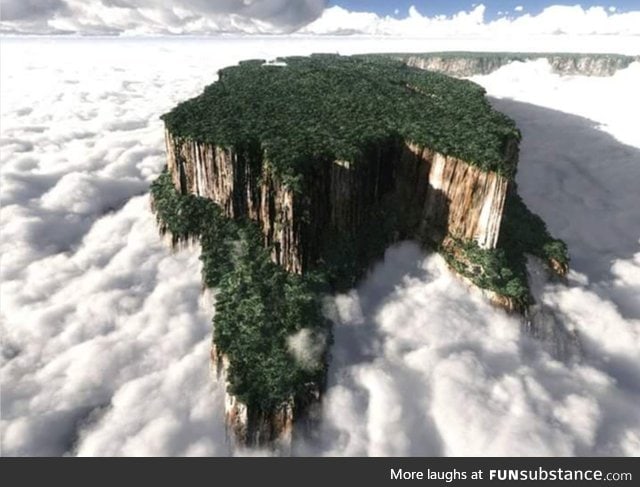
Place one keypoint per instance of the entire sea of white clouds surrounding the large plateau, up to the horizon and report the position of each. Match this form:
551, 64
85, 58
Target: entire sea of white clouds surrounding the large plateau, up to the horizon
106, 334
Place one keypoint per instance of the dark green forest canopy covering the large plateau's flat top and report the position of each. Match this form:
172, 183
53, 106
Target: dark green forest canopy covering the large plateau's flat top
329, 106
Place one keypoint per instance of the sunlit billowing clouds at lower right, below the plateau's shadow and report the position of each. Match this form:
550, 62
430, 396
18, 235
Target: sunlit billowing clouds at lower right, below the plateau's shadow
423, 367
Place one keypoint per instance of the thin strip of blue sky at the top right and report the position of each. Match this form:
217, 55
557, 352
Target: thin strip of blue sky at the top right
448, 7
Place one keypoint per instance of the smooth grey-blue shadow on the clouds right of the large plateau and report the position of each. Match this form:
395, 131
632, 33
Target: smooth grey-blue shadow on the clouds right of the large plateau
583, 182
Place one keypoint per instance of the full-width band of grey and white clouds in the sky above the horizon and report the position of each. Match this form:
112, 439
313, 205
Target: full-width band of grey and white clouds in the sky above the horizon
140, 17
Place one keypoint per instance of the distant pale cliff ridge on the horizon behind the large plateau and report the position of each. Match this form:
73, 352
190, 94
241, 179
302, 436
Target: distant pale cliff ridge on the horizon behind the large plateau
465, 64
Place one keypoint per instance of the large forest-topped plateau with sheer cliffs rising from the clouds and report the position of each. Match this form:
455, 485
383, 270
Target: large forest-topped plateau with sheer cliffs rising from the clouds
297, 176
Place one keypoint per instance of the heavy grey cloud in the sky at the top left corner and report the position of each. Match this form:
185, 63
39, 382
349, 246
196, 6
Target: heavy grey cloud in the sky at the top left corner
152, 17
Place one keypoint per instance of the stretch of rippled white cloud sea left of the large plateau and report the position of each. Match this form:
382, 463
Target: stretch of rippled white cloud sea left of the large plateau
102, 328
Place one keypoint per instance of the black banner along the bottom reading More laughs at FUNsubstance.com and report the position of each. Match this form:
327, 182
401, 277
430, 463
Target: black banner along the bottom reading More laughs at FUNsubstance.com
329, 472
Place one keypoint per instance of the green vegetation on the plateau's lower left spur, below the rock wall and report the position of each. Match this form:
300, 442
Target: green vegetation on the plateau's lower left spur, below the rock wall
259, 306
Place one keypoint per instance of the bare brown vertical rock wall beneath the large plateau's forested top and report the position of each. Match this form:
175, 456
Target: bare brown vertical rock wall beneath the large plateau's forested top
450, 196
